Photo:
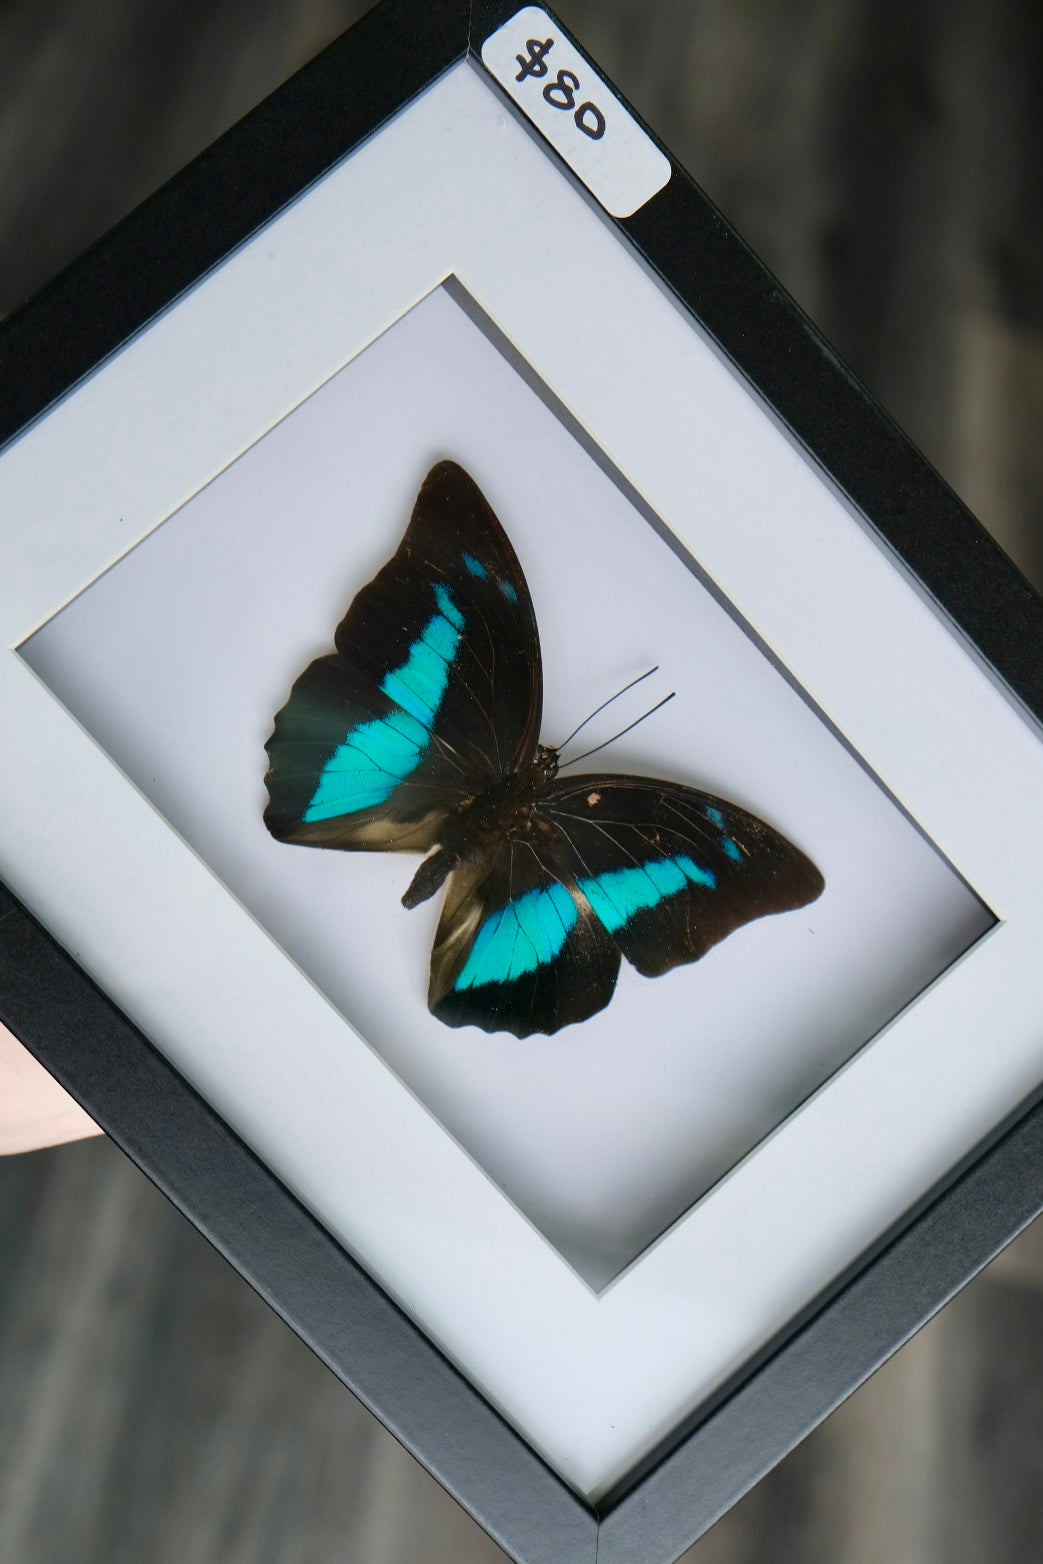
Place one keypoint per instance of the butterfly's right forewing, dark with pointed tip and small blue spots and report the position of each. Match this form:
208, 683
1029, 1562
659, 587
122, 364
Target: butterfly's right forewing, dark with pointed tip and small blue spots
670, 872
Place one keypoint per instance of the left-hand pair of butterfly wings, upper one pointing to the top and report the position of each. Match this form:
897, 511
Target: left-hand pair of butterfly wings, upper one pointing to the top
432, 694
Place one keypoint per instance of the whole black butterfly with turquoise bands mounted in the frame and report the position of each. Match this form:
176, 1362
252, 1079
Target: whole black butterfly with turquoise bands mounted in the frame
421, 731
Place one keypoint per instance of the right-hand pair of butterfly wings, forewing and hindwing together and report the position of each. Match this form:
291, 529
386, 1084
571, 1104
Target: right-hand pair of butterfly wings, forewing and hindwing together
531, 939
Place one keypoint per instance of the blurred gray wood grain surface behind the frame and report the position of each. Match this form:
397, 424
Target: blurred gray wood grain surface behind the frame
884, 160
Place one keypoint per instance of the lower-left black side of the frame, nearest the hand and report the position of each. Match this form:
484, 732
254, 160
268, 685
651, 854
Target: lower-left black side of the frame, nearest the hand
279, 1247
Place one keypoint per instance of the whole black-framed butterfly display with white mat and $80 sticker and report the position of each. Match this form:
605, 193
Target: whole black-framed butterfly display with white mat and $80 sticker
593, 1164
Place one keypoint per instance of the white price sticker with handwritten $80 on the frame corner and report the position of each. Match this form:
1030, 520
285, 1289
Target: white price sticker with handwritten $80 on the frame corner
581, 118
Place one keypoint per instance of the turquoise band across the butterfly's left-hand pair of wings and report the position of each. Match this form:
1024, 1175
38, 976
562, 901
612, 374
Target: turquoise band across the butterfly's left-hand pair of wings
378, 756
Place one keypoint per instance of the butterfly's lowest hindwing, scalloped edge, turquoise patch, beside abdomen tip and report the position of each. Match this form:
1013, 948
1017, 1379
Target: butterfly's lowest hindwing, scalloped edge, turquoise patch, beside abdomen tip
518, 950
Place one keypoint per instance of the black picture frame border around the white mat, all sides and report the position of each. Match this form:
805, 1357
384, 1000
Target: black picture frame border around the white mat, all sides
204, 1168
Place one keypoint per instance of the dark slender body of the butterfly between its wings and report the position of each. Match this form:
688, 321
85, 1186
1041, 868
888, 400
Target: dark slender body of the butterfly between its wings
507, 811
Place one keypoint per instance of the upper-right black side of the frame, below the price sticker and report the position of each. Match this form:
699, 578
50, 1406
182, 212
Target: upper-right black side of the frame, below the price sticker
792, 367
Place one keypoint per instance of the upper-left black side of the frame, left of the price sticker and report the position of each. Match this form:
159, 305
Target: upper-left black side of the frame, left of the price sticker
237, 185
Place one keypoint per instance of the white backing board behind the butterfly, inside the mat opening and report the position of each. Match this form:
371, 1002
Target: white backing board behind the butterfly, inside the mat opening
177, 659
